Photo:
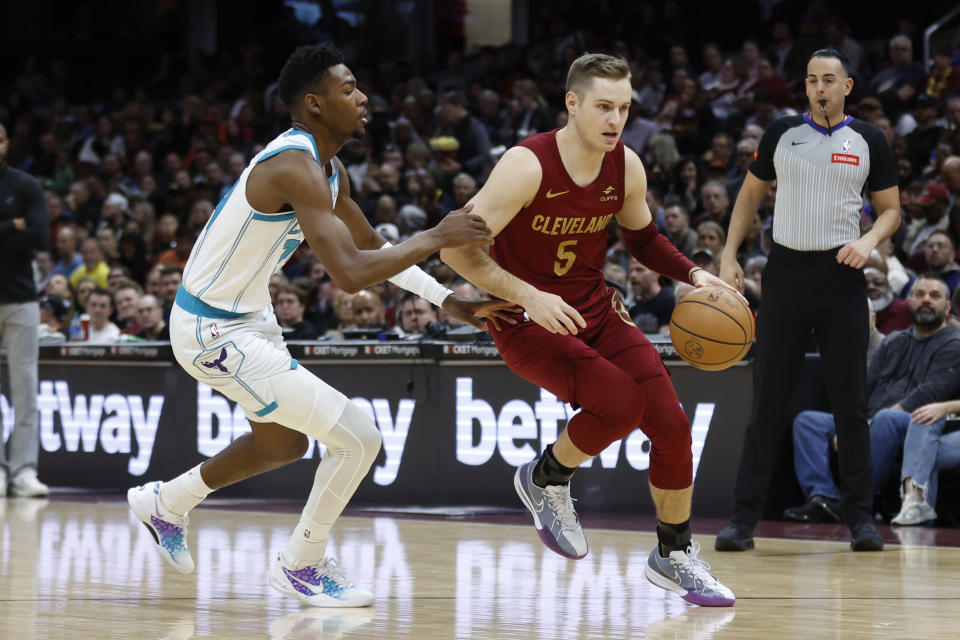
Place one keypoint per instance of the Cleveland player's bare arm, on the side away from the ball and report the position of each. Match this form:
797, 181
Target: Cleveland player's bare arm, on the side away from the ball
512, 185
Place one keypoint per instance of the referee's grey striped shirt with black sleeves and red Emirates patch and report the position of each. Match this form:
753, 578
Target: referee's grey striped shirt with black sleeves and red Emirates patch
820, 176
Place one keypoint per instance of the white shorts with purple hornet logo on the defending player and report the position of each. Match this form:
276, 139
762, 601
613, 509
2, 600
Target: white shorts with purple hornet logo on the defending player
246, 360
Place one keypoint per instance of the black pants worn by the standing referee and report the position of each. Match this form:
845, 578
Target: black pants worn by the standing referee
804, 290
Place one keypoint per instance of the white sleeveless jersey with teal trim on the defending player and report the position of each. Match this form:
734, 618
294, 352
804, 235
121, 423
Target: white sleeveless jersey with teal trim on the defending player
240, 248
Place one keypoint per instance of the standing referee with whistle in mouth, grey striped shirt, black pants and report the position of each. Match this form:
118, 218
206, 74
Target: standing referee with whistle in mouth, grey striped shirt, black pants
813, 281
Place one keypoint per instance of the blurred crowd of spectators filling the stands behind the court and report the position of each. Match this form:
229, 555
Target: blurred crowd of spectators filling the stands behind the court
130, 181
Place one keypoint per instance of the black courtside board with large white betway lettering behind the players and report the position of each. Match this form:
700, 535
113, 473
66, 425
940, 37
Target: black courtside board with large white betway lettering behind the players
453, 432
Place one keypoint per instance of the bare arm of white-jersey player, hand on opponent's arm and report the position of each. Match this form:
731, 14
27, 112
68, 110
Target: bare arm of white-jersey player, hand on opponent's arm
296, 179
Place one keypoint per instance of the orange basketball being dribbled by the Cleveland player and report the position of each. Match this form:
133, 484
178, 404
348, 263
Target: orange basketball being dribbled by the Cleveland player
711, 328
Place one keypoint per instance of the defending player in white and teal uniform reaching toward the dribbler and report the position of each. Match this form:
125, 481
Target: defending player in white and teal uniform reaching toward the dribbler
224, 332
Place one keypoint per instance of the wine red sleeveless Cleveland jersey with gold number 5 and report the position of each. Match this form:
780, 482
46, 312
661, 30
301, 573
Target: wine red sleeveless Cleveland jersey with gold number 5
559, 243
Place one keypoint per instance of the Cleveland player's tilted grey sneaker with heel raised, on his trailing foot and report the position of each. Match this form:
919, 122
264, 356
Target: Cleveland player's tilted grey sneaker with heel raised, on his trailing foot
553, 514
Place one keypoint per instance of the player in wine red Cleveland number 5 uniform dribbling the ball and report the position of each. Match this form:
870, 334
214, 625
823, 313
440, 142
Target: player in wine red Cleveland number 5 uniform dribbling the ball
548, 202
